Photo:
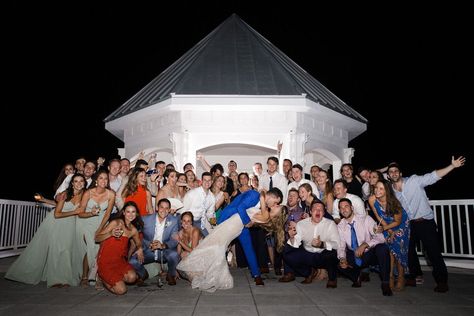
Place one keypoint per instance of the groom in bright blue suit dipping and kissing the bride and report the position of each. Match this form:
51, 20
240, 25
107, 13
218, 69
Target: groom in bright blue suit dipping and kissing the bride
240, 205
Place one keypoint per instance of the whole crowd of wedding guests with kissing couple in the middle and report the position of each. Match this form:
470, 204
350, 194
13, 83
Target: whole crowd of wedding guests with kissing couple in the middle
109, 223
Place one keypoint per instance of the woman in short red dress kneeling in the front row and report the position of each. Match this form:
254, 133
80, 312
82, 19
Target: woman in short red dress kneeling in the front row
113, 267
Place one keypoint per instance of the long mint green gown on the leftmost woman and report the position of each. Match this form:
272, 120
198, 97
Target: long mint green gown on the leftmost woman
49, 255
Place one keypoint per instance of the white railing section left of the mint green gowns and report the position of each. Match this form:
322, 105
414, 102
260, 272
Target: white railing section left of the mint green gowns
18, 223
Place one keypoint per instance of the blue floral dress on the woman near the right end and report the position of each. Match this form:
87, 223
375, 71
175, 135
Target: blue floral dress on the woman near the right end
399, 246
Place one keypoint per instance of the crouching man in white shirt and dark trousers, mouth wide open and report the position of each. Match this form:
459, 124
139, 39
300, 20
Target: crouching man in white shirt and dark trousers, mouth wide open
320, 239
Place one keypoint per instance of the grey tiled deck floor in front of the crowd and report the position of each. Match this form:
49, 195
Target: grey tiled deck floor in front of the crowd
244, 299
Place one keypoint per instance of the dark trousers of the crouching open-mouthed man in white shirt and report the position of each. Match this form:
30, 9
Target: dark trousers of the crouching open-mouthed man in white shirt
300, 261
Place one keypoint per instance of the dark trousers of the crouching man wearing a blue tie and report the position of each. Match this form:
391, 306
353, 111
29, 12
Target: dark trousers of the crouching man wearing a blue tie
379, 254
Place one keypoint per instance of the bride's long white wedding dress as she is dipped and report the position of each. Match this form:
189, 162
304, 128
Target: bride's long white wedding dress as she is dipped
206, 266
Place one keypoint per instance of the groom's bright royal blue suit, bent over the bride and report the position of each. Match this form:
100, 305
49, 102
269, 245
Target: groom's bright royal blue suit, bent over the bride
239, 206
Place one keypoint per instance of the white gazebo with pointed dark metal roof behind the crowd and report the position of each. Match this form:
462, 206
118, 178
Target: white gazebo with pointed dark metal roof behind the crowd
234, 95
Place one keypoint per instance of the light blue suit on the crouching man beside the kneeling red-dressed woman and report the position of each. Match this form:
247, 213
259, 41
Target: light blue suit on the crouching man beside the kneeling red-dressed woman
170, 255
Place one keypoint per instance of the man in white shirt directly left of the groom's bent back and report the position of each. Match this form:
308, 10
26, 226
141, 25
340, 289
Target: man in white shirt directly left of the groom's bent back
201, 202
